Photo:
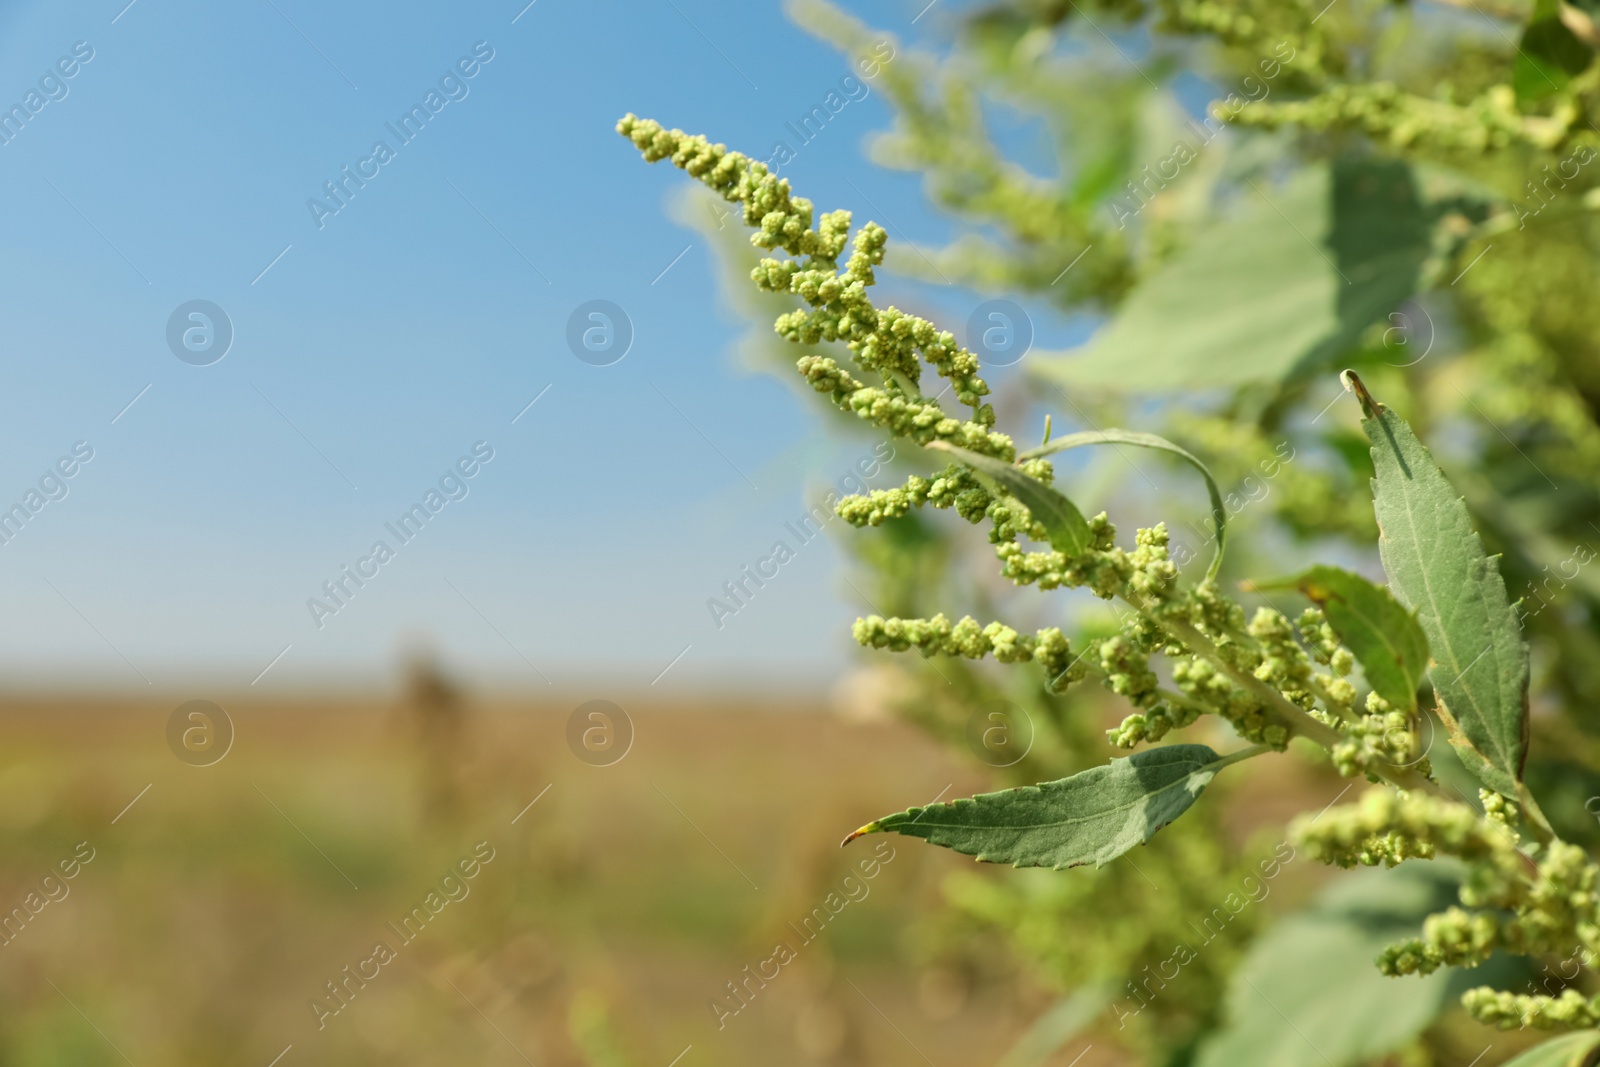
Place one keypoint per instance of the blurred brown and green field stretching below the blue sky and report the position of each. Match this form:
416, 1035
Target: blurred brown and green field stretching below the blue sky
618, 906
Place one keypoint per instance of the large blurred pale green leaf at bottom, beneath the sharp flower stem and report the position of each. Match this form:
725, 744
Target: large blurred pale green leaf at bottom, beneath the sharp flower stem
1308, 994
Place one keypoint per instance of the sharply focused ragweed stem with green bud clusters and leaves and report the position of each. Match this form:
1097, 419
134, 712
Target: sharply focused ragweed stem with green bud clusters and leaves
1444, 623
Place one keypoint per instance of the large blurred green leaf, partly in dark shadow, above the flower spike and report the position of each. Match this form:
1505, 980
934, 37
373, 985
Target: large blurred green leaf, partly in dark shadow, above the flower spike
1282, 287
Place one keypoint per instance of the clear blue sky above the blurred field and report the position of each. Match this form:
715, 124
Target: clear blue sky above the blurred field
375, 350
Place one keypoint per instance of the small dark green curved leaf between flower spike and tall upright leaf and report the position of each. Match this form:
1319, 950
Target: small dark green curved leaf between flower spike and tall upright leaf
1378, 629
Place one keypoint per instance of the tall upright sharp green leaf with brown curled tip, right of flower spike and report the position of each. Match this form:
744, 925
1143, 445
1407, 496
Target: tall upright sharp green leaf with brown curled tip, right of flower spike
1438, 565
